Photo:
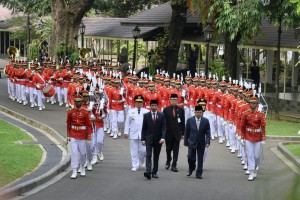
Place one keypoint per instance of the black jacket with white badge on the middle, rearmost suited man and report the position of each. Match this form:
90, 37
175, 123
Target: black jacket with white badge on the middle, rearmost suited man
174, 129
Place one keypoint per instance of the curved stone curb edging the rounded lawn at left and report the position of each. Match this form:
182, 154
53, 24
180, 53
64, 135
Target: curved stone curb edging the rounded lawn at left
31, 184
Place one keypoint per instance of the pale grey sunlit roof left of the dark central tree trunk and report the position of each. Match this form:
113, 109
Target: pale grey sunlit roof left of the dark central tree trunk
110, 28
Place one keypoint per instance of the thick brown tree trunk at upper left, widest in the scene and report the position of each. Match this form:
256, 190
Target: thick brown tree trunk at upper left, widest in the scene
67, 18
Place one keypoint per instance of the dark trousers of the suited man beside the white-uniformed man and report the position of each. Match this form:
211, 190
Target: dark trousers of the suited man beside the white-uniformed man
156, 151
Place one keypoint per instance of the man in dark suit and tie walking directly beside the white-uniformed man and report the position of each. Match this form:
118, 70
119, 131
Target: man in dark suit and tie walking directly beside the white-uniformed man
153, 136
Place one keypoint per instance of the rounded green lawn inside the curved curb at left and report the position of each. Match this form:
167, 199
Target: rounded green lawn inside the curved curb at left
16, 159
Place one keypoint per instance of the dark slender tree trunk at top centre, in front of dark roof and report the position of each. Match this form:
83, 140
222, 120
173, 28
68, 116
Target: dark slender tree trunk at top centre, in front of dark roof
178, 19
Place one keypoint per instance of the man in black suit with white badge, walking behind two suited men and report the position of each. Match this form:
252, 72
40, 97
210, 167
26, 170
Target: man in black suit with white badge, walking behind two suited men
175, 130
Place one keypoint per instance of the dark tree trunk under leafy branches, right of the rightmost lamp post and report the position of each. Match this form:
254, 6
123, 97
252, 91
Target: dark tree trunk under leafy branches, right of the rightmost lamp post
230, 55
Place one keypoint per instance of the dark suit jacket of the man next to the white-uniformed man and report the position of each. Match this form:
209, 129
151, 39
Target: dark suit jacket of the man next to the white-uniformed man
152, 133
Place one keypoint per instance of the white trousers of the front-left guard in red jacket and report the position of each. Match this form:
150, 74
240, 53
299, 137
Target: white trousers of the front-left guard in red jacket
78, 152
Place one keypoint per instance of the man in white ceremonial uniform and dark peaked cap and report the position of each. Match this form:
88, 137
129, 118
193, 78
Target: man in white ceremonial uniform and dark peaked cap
133, 129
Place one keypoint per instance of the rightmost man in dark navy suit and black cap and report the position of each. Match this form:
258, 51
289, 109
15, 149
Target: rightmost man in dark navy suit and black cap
196, 137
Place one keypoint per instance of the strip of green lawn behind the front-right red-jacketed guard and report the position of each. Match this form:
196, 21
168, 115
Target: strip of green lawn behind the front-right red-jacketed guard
282, 128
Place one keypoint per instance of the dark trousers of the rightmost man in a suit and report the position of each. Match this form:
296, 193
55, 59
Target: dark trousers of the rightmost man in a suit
192, 153
